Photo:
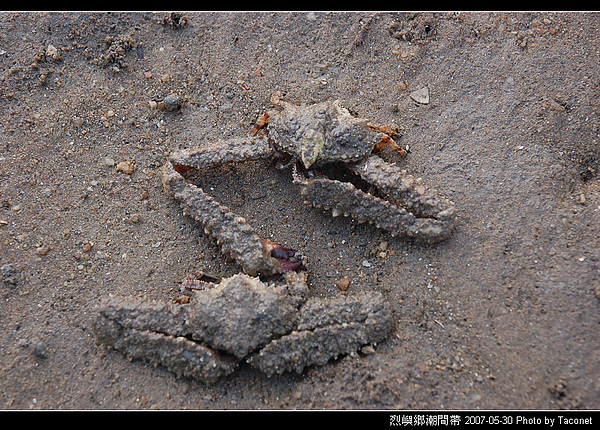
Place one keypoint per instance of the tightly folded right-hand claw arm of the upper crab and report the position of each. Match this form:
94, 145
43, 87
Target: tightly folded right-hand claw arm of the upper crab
413, 211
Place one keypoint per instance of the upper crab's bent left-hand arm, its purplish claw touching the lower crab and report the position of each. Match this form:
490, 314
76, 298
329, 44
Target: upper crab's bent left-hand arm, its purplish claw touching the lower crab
236, 237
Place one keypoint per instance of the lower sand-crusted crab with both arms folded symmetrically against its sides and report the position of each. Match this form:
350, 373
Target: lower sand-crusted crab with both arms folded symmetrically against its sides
273, 327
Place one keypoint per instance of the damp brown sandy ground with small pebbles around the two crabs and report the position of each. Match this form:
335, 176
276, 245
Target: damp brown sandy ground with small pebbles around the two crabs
504, 314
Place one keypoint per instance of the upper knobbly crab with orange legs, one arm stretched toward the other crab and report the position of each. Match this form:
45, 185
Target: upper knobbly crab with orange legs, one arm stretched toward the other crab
319, 141
